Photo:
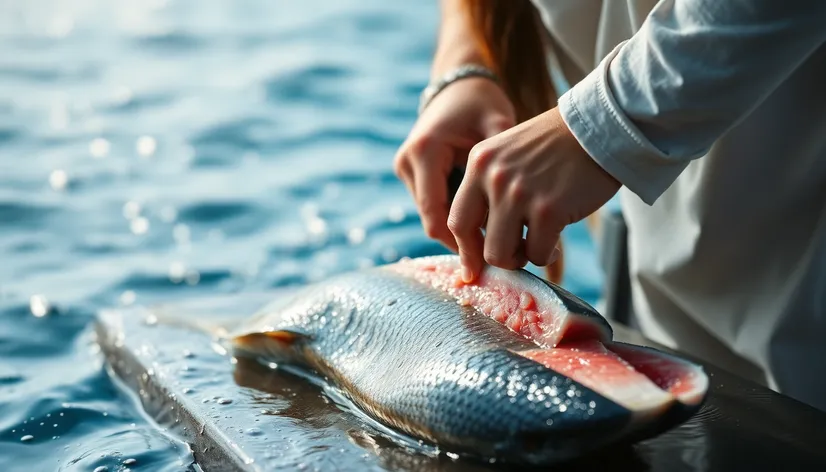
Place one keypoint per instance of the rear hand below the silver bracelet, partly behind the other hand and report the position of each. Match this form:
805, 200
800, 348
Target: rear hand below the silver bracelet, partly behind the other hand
463, 114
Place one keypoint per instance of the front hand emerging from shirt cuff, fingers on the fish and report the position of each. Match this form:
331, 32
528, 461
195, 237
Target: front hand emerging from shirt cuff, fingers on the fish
536, 175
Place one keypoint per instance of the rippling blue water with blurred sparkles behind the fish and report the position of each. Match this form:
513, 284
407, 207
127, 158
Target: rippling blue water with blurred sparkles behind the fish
153, 150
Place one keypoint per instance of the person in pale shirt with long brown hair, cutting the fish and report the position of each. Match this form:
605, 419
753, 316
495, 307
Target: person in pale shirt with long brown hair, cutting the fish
706, 118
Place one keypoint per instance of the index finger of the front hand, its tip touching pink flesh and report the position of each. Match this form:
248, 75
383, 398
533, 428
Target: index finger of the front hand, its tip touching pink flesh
467, 215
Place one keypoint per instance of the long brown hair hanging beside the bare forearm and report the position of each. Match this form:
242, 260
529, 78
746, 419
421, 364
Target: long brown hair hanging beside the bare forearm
511, 37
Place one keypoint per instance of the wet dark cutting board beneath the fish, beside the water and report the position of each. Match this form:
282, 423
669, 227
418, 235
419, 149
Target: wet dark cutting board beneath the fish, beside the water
240, 415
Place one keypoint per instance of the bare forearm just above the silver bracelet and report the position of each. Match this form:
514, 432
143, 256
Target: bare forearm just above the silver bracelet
456, 44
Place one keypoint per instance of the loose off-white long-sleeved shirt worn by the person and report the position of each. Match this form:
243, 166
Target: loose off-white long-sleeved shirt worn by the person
712, 114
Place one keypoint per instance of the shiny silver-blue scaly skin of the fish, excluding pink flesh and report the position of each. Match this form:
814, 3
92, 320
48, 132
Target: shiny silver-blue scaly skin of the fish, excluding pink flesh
418, 362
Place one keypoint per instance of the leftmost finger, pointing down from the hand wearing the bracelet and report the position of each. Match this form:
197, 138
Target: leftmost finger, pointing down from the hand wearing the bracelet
430, 185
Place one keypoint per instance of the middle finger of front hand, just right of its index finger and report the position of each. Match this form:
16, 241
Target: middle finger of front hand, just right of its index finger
503, 237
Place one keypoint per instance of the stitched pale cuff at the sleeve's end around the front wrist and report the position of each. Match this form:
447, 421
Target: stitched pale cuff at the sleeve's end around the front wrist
596, 120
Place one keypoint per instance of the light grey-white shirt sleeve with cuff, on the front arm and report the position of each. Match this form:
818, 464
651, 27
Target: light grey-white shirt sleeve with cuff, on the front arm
692, 72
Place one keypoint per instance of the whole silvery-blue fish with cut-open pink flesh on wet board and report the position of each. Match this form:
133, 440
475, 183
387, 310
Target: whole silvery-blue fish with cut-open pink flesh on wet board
509, 367
